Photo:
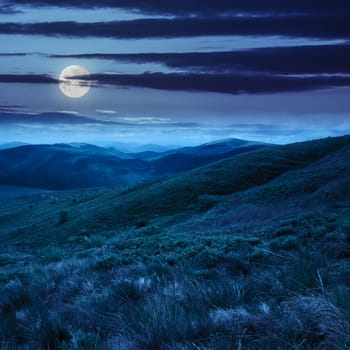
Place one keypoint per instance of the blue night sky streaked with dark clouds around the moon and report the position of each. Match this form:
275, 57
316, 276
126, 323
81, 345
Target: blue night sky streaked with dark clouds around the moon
176, 72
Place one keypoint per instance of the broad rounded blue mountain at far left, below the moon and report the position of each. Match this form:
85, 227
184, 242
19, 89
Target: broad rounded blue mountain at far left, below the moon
69, 166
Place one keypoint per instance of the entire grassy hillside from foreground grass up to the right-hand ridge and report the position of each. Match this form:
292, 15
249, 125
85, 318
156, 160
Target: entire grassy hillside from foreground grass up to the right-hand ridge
253, 248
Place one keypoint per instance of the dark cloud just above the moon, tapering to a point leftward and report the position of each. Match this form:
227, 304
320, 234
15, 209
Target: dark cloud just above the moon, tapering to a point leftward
281, 60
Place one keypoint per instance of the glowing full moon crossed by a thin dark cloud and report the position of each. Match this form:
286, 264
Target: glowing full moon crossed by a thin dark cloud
71, 87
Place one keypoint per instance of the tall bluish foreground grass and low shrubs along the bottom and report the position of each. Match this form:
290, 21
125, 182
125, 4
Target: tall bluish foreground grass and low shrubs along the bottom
285, 287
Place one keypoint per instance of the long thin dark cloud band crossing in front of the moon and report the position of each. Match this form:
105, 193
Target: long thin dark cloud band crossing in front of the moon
221, 83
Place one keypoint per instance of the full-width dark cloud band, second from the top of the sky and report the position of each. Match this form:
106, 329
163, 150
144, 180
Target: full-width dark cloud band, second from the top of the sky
294, 26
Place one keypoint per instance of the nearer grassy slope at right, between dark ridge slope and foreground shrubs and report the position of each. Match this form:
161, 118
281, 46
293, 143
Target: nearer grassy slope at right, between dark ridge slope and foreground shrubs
321, 186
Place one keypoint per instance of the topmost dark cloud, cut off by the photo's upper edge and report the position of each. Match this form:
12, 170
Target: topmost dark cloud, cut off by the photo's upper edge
193, 7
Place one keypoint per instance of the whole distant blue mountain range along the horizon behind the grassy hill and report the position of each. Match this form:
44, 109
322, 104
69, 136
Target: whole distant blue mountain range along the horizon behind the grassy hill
68, 166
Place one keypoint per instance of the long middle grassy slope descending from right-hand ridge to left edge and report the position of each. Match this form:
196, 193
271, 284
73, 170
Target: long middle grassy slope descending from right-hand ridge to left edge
179, 195
